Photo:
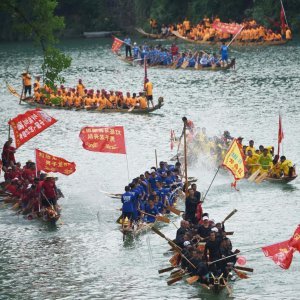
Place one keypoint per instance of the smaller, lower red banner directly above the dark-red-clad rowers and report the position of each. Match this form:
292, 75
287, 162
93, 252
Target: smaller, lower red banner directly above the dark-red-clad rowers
50, 163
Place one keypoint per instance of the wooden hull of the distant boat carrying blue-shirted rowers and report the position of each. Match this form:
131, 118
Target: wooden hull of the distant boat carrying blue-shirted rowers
171, 67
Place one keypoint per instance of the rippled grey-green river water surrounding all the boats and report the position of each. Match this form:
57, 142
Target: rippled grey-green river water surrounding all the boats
85, 257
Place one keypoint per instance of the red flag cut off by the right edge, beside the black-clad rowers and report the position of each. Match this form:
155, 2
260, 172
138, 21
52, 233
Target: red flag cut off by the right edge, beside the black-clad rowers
282, 253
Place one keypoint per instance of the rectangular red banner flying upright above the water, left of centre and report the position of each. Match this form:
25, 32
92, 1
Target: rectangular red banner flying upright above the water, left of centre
103, 139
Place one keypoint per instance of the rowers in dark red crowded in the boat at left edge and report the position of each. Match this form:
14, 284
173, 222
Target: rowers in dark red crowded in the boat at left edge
34, 193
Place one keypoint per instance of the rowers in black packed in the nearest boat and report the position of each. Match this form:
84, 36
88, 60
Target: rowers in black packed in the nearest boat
203, 241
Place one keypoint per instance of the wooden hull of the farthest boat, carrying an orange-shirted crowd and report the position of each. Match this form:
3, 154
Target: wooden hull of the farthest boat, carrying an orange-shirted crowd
234, 43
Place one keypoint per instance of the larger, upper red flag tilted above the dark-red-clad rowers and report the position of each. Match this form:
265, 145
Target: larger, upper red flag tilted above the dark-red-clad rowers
29, 124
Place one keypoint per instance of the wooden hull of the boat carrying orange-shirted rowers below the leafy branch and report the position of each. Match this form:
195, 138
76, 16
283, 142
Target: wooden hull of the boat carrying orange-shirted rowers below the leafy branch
30, 101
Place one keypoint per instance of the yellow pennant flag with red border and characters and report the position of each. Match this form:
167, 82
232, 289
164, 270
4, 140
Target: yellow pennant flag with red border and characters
234, 162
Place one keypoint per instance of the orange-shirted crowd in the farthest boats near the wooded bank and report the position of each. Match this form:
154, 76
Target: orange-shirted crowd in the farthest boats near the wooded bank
204, 31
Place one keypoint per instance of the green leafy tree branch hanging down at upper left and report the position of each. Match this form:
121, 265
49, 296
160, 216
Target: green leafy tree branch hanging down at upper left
36, 19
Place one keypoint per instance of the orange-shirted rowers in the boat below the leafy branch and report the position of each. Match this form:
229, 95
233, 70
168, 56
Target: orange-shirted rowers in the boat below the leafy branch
80, 97
